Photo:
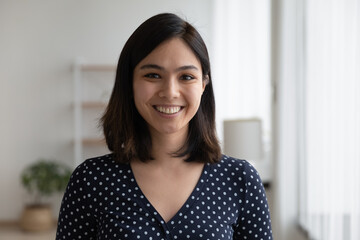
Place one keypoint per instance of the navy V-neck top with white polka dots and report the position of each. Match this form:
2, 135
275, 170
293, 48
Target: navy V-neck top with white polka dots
103, 201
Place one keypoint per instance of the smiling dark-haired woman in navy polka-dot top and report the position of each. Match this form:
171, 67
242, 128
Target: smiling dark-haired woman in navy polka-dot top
166, 177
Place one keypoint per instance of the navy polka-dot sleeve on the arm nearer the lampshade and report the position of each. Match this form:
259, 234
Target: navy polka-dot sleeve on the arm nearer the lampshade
254, 221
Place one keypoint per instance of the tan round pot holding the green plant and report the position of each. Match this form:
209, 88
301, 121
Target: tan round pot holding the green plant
36, 218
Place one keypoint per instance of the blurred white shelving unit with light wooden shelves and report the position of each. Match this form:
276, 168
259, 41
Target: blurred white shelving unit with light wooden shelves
92, 88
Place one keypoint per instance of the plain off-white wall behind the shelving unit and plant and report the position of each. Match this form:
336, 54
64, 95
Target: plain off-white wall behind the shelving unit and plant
38, 44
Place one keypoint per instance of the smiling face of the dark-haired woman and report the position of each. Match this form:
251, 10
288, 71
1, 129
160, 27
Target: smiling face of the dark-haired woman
168, 84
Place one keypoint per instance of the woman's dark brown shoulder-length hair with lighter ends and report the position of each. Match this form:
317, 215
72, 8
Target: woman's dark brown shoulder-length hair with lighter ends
126, 132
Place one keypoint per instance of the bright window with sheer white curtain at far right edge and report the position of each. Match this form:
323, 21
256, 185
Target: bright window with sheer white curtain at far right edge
330, 140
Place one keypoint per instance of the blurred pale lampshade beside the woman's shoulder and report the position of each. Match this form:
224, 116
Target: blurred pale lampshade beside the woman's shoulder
243, 139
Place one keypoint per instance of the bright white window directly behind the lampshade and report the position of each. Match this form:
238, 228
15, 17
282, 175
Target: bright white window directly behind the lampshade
241, 68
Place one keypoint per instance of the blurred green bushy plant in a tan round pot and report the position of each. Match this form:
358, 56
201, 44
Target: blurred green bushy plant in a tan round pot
42, 179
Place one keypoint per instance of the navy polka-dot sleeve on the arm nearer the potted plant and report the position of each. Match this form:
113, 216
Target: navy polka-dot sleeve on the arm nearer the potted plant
77, 217
